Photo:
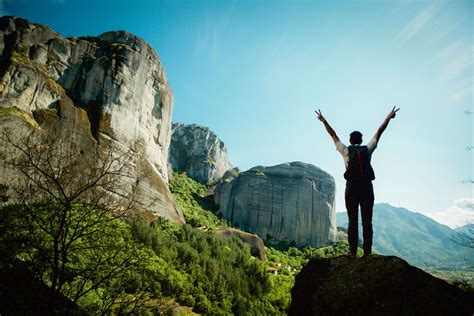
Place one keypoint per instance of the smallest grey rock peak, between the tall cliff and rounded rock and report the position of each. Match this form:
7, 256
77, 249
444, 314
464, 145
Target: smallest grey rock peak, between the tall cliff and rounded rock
197, 151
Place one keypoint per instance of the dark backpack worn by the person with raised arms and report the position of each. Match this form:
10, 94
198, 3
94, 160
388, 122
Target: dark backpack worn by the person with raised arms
359, 167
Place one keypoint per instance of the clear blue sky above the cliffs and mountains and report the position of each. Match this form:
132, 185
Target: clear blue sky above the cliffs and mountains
255, 71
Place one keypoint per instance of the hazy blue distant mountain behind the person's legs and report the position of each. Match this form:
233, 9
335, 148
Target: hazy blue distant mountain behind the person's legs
415, 237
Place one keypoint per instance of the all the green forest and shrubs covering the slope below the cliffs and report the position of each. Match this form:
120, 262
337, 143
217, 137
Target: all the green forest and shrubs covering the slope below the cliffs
134, 266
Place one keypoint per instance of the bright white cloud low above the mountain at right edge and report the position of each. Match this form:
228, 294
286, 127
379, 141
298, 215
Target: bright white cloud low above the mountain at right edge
457, 215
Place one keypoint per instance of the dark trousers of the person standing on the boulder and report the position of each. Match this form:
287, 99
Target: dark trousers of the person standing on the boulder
360, 192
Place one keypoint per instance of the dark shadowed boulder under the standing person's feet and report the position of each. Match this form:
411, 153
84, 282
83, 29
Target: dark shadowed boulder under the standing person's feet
374, 286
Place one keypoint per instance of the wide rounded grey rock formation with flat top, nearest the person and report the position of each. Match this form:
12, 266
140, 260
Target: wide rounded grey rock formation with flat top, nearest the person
292, 202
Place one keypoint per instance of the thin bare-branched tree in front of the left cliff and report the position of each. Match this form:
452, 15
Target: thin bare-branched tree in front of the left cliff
67, 201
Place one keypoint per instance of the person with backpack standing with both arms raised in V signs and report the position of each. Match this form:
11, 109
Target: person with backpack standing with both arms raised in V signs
359, 175
